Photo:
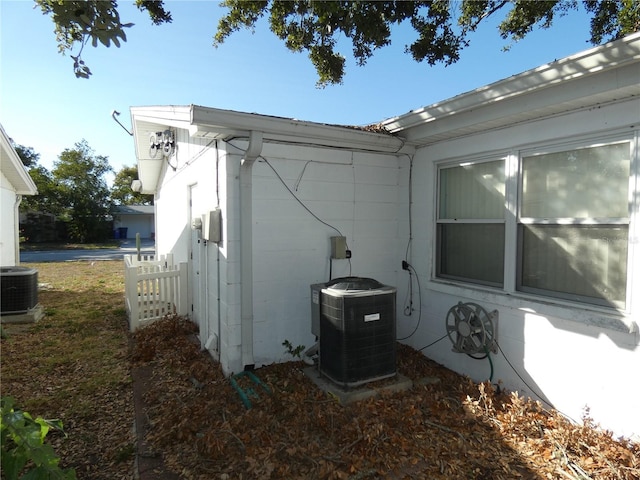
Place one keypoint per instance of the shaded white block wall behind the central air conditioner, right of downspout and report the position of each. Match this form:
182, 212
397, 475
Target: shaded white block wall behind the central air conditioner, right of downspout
301, 198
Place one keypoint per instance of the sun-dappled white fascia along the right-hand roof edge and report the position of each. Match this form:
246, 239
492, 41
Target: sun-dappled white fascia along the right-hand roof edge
612, 56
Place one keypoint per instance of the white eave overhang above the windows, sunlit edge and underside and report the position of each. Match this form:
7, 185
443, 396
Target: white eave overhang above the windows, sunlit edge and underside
601, 75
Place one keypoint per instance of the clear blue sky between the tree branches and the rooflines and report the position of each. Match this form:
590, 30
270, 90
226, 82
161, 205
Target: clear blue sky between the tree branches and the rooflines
43, 105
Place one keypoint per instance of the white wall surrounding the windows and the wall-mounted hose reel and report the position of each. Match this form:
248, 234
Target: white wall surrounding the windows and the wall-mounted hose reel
570, 355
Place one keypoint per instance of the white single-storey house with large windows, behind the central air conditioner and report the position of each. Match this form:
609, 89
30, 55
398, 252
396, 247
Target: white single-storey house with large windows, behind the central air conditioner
521, 196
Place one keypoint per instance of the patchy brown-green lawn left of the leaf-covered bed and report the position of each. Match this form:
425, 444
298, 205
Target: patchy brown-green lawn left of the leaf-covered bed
73, 365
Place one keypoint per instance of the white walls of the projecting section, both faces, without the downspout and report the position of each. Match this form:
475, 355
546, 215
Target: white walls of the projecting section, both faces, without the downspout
364, 196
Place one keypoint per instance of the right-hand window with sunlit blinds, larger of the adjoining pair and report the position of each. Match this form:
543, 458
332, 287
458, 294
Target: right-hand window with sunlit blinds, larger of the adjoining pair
574, 223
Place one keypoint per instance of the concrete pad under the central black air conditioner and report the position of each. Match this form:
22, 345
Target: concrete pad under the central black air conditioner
346, 395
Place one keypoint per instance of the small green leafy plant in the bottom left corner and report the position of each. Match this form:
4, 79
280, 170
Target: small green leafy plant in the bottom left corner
24, 454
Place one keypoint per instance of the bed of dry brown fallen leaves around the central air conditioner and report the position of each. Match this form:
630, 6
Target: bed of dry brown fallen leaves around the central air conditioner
193, 425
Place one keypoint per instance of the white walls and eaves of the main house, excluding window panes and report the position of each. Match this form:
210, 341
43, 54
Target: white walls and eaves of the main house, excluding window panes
570, 354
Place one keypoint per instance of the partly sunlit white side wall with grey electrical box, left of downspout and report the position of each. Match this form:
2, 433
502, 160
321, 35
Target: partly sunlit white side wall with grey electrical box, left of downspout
205, 178
